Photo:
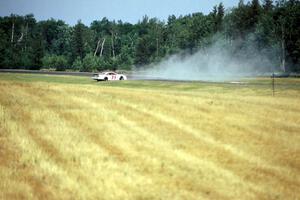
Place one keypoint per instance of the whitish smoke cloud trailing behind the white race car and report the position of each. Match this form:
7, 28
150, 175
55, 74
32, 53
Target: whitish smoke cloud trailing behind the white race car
222, 60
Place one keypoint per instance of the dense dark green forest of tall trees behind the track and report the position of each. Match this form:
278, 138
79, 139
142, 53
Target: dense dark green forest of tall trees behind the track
26, 43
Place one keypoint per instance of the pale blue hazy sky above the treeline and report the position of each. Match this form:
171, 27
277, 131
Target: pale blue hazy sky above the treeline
126, 10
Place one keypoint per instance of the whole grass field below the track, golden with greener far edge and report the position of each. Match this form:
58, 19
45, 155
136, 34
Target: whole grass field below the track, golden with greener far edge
72, 138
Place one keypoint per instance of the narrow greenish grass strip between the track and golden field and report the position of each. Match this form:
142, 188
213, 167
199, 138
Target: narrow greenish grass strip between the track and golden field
255, 86
